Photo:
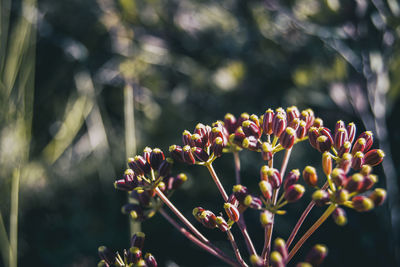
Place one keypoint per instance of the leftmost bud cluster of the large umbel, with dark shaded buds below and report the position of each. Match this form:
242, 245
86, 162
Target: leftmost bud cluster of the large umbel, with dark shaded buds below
145, 173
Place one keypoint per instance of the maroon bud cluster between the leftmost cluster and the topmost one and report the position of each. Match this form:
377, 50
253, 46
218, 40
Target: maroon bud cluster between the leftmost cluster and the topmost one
203, 145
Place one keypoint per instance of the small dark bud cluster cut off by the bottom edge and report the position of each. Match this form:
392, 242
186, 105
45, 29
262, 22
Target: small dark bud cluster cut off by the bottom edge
133, 257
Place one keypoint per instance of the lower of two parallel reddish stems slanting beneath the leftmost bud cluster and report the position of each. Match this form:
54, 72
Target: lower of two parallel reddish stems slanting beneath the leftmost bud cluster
196, 241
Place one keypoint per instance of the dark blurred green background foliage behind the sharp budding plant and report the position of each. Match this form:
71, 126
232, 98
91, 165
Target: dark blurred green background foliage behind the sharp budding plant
84, 84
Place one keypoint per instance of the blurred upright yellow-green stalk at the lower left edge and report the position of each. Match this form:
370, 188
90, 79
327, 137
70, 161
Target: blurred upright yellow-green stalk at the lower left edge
14, 218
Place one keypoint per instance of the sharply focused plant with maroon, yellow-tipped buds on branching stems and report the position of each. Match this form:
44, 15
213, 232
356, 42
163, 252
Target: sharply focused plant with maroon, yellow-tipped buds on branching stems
347, 181
